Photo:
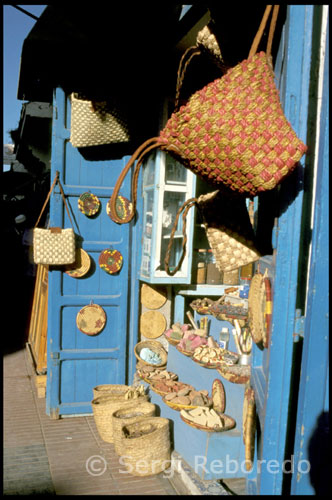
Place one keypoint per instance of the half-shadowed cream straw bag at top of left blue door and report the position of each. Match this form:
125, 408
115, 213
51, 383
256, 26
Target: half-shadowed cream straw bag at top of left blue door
94, 123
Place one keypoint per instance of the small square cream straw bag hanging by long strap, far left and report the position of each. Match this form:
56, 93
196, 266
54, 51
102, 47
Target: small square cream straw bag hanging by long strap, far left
54, 246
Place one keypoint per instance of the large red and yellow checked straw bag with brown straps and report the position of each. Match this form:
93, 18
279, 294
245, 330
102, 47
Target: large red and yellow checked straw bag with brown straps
233, 132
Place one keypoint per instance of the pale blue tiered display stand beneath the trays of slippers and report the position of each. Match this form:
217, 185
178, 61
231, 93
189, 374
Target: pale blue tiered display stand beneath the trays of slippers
212, 455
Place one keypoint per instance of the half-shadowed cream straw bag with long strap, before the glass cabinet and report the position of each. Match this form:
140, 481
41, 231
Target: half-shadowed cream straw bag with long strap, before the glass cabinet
228, 230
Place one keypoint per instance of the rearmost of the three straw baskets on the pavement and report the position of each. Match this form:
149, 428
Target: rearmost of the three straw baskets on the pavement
103, 408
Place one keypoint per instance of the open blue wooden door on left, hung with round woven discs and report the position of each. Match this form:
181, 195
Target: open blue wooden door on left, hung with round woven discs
77, 362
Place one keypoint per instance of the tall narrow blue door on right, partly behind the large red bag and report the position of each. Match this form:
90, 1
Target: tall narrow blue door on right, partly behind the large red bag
272, 367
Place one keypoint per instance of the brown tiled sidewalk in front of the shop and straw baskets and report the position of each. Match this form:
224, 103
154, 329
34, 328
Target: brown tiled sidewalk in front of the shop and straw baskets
61, 457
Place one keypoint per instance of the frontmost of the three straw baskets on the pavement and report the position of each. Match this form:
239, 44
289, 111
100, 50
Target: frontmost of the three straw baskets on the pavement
148, 453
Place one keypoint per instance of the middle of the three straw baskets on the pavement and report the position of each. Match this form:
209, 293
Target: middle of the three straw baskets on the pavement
129, 415
